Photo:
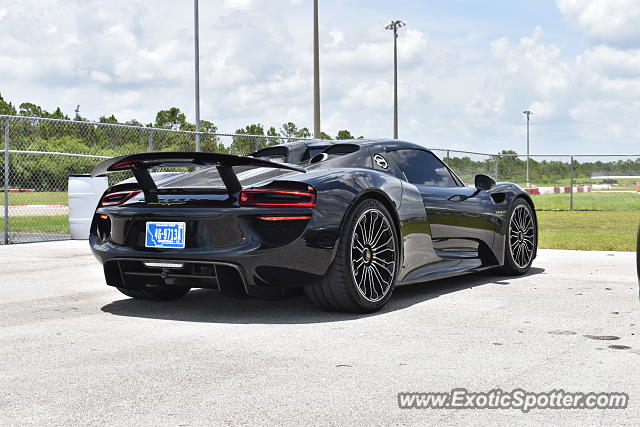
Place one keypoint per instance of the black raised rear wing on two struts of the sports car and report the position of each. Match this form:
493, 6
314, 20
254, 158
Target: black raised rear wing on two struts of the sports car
140, 164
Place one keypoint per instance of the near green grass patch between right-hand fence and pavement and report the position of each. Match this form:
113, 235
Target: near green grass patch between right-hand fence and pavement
590, 231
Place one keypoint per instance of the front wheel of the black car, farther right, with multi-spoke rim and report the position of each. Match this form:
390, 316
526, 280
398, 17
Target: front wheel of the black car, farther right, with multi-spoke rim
521, 238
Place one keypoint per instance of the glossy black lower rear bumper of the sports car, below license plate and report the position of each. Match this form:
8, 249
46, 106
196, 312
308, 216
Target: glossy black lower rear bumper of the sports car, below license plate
300, 262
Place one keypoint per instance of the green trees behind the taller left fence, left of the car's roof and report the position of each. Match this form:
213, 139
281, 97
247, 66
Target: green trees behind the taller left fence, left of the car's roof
169, 132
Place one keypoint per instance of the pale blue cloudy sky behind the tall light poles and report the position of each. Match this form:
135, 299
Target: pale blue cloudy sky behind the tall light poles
467, 68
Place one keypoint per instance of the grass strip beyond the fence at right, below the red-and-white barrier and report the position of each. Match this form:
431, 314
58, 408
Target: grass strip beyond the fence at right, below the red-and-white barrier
588, 201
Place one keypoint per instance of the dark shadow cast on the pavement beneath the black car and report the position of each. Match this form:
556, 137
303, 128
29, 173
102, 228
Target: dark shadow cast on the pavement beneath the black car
201, 305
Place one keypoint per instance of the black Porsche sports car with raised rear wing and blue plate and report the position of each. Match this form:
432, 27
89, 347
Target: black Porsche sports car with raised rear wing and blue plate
347, 221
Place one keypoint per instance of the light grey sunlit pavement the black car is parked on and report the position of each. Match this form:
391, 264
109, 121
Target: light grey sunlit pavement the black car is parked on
74, 351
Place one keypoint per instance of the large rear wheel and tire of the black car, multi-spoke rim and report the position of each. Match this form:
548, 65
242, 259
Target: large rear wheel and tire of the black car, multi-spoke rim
344, 287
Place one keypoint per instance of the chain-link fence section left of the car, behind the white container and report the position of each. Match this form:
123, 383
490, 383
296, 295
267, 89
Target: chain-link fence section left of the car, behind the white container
40, 154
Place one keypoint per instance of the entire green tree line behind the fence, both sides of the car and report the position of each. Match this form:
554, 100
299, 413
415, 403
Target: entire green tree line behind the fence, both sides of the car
45, 172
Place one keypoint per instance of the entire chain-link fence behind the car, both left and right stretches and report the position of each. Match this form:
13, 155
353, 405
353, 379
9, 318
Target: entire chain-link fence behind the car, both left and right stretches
40, 155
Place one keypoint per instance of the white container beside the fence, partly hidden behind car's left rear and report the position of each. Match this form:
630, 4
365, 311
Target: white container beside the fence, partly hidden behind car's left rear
84, 194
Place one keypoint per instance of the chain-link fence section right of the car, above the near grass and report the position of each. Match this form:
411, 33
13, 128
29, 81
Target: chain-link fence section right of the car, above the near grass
560, 182
